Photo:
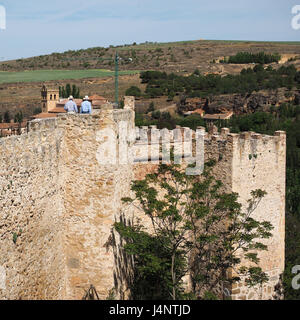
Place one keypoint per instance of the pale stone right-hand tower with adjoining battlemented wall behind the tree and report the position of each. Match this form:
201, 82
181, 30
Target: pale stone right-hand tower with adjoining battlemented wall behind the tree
244, 162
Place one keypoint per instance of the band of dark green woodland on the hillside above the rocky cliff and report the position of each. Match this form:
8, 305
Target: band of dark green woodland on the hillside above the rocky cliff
198, 85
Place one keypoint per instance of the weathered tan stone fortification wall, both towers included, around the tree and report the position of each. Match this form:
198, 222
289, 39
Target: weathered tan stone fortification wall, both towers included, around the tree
59, 199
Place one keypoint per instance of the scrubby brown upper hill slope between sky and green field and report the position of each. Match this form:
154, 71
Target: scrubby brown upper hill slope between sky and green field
184, 56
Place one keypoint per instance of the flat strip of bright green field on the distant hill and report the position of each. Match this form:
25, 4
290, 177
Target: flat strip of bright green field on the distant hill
48, 75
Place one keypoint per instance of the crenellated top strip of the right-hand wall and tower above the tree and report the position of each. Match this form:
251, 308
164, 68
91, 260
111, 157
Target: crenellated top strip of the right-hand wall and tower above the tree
150, 141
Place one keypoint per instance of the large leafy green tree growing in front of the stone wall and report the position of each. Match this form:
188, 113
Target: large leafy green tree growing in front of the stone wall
188, 215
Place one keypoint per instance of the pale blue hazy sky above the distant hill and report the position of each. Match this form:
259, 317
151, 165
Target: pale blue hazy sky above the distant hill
35, 27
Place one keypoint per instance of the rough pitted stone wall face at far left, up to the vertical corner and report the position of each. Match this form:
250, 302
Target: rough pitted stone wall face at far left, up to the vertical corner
31, 214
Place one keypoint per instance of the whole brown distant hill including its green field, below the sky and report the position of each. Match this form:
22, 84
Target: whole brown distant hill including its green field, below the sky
92, 69
